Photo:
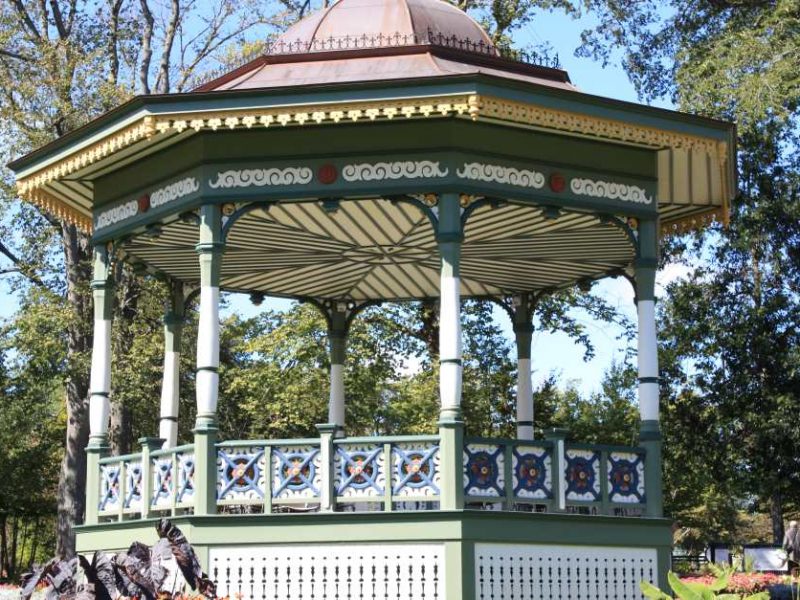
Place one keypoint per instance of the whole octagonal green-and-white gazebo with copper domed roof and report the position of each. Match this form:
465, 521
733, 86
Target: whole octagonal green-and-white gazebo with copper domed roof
384, 150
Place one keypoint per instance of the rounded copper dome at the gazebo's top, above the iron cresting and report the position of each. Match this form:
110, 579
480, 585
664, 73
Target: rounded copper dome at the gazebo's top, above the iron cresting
384, 22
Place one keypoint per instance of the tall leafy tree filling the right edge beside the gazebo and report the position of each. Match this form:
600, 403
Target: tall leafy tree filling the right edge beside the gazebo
730, 330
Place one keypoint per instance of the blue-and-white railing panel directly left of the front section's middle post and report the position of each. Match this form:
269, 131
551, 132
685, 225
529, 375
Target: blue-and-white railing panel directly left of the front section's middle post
296, 472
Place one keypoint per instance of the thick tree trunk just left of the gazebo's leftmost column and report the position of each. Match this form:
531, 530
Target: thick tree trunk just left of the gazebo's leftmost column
72, 479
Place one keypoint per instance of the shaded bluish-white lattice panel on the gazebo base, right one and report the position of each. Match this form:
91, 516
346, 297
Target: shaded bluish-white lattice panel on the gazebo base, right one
527, 572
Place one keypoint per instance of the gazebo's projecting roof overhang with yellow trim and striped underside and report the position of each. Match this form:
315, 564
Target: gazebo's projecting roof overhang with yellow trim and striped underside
696, 165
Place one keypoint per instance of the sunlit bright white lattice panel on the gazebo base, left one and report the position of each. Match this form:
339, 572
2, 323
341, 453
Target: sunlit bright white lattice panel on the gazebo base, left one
330, 571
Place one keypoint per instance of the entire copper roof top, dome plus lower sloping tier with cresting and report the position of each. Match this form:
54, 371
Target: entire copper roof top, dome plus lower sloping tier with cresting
358, 41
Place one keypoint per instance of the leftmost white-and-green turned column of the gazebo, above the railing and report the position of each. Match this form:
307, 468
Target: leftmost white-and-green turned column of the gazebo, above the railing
100, 378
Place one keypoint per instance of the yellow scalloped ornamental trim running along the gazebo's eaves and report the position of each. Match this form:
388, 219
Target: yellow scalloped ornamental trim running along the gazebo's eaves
473, 106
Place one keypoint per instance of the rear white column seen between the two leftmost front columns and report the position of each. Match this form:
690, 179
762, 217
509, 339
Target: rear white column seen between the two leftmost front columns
170, 388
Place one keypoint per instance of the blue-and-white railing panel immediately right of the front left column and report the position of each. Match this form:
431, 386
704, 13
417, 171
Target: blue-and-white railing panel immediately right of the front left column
240, 474
